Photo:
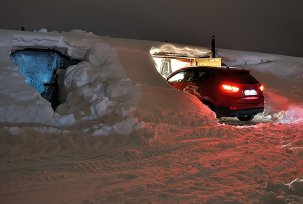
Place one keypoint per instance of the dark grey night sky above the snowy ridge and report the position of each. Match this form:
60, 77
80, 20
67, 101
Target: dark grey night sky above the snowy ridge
272, 26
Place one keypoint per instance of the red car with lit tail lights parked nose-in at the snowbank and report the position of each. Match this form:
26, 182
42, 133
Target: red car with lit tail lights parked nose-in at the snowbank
228, 91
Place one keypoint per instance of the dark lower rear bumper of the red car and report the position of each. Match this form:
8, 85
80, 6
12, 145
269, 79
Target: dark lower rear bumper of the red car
226, 112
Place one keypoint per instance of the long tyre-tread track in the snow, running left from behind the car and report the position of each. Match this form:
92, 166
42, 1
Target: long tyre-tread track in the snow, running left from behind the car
199, 141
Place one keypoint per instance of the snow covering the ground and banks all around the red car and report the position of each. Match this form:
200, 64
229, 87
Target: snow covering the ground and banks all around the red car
124, 136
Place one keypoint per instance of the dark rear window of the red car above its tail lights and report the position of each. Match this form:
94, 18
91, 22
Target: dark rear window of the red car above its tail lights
240, 77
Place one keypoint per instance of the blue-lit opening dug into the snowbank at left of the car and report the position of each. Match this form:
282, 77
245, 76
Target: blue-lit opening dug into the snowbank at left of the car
44, 70
